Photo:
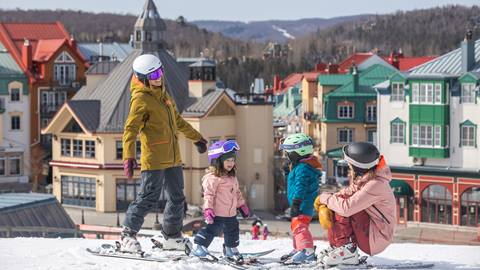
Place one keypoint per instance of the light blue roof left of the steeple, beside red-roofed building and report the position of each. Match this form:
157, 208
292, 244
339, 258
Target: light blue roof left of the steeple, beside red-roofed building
119, 50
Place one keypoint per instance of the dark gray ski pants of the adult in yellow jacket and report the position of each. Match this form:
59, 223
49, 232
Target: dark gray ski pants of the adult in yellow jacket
171, 180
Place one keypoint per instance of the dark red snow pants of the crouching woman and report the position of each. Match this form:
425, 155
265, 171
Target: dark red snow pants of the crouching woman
353, 229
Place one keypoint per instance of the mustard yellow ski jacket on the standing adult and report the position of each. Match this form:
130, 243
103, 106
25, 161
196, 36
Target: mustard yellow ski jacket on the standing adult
153, 114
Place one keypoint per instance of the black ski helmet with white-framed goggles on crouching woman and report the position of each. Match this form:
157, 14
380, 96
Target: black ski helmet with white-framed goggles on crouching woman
362, 155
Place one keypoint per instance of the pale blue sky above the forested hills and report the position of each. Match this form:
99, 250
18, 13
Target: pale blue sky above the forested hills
241, 10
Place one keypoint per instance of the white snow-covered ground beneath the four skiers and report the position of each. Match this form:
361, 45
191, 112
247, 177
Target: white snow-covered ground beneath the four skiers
40, 253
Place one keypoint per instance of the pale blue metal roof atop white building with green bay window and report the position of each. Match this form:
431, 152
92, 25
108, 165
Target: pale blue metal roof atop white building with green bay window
449, 63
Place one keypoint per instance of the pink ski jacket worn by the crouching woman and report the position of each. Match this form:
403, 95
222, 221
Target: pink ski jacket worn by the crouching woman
375, 196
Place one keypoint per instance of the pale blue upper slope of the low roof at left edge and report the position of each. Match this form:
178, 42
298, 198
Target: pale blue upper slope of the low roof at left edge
10, 201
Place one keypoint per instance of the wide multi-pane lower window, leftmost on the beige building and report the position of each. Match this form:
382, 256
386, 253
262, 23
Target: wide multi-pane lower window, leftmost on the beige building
78, 190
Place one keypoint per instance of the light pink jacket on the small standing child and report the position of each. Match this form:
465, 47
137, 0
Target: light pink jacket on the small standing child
222, 194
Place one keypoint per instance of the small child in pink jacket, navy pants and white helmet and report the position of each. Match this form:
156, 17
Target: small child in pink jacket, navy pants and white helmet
222, 197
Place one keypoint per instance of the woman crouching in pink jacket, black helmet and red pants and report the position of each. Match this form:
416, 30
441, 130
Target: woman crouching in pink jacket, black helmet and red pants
364, 213
